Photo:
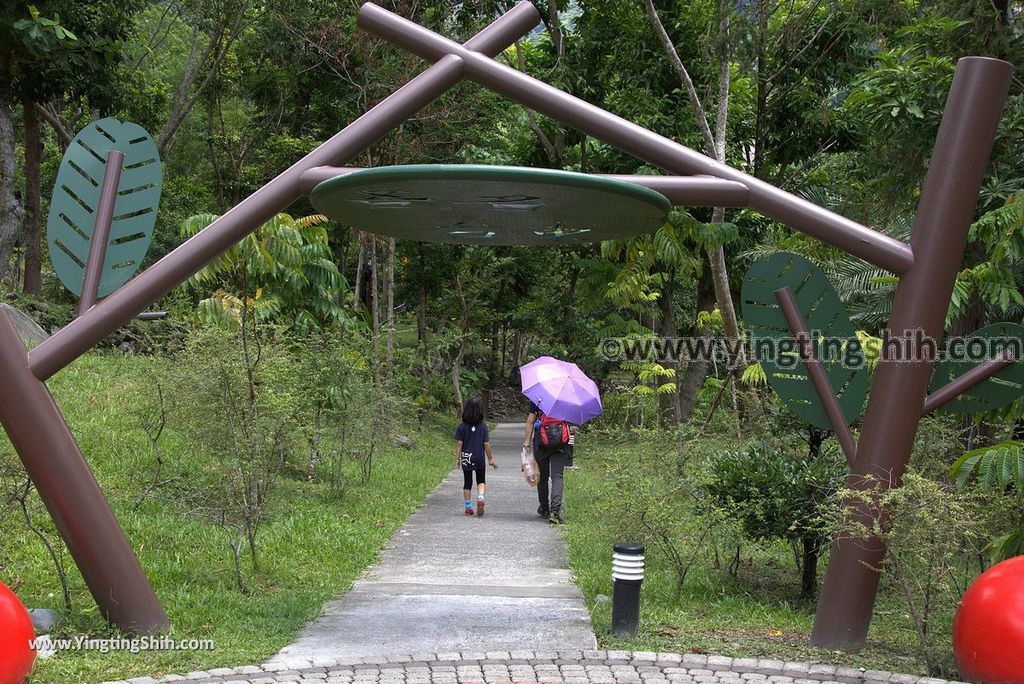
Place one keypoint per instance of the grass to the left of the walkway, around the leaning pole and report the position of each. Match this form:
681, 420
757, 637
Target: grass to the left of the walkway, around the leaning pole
312, 547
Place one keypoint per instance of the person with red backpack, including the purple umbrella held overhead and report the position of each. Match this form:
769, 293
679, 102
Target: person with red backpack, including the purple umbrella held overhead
560, 395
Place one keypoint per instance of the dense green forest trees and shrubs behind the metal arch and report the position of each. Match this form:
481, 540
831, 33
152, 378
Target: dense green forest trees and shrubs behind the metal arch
837, 102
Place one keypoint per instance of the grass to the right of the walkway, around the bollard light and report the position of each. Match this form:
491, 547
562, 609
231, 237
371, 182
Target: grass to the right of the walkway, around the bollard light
758, 614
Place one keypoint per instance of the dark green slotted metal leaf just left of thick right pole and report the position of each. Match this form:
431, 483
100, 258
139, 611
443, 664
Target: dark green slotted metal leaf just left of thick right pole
836, 340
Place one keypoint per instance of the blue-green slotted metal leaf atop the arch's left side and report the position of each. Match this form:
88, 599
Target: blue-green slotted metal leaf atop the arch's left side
76, 195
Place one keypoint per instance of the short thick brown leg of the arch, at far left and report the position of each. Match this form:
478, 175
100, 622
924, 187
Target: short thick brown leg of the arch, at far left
71, 494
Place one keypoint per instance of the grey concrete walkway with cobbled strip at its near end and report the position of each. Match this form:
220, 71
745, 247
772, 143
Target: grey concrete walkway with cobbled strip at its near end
460, 601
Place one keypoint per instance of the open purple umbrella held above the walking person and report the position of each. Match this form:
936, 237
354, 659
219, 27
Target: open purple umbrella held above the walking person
561, 390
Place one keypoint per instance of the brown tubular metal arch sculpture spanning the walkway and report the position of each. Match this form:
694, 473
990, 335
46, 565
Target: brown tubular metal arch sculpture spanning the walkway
927, 268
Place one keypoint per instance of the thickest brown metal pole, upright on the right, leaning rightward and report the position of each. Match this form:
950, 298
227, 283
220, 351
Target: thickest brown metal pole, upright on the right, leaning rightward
945, 213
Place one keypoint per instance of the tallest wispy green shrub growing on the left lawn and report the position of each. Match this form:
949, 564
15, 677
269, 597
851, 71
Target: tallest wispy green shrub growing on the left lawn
239, 400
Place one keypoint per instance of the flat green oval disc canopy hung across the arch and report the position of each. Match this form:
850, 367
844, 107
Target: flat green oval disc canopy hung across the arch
490, 205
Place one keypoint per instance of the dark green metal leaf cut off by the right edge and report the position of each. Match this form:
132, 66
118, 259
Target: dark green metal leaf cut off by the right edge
1005, 388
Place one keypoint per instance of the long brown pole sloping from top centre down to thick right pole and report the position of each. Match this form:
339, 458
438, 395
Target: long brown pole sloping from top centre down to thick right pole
771, 201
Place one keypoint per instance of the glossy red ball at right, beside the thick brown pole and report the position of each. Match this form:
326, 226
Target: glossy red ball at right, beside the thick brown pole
989, 630
